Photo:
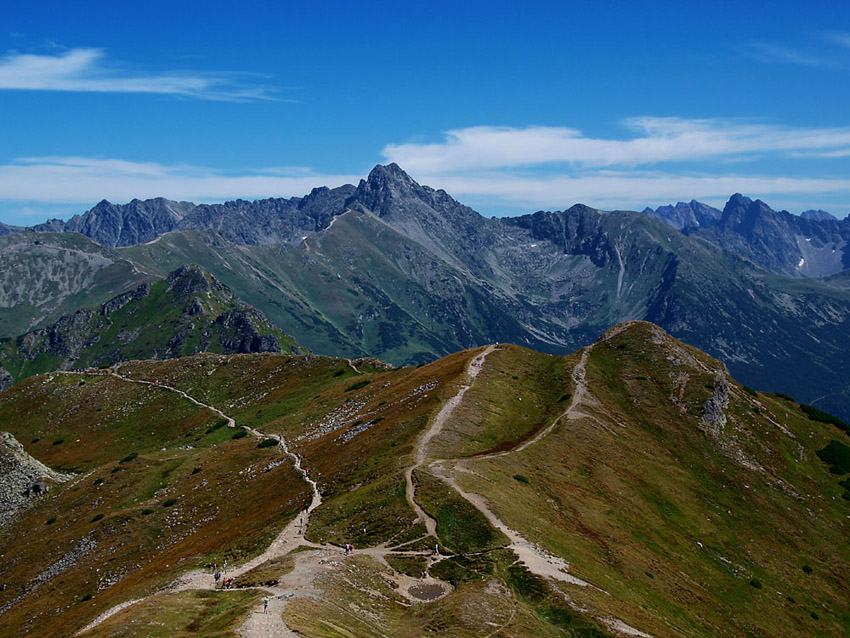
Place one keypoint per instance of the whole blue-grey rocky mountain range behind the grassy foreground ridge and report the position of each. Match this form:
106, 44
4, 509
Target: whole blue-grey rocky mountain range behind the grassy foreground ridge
394, 269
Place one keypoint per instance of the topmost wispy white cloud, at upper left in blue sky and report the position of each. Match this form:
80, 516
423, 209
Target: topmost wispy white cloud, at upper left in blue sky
89, 70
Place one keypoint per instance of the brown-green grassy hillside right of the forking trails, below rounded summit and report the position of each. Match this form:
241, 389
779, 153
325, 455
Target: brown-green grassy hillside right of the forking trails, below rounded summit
672, 521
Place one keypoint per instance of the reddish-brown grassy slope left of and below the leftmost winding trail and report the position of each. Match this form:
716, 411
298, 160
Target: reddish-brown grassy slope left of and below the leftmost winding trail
113, 535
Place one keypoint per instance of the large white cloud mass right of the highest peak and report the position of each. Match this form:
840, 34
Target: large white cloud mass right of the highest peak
554, 167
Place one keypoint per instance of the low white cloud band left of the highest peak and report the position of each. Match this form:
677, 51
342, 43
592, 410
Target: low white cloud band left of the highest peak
88, 180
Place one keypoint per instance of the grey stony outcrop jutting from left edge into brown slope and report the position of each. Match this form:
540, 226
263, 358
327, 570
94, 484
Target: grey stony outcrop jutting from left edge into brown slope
22, 478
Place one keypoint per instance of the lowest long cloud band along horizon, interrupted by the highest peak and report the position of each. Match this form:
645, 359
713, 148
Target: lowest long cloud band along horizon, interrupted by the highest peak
85, 181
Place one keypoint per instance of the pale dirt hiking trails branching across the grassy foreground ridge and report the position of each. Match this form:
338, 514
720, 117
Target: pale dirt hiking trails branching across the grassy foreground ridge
308, 565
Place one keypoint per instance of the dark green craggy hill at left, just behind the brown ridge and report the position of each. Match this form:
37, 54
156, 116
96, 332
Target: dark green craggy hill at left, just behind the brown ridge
188, 313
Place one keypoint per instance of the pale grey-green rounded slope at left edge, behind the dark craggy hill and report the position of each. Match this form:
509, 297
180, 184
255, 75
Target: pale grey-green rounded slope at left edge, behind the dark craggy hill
46, 275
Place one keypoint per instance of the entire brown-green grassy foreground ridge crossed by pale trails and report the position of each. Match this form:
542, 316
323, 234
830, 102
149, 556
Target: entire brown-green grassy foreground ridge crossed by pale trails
691, 505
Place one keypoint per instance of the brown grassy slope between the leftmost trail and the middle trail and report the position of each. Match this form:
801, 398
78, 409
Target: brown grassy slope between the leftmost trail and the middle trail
354, 430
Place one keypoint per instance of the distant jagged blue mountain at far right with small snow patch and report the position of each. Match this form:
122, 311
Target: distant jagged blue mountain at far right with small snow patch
814, 244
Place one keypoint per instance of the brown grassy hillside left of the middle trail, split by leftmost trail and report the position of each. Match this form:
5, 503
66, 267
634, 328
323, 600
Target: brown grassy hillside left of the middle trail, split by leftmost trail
221, 509
